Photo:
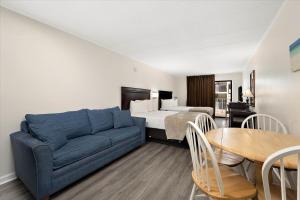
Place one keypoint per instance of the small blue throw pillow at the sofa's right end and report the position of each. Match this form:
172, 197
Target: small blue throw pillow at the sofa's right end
122, 119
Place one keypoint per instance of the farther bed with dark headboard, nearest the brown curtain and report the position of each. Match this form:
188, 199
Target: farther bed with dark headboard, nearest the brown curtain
166, 96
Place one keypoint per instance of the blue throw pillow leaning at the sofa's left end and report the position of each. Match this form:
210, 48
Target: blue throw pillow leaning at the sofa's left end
50, 133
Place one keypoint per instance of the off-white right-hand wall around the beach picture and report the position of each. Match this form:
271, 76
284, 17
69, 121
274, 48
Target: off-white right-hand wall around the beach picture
277, 87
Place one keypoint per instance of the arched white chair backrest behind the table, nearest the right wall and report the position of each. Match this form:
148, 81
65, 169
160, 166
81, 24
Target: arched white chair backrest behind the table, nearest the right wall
264, 122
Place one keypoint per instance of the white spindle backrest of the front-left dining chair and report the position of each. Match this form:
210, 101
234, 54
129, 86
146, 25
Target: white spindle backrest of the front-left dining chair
200, 152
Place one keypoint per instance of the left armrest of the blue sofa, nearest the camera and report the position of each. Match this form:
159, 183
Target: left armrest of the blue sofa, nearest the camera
33, 163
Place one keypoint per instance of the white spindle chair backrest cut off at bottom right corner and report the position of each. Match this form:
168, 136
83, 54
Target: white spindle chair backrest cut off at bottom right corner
279, 156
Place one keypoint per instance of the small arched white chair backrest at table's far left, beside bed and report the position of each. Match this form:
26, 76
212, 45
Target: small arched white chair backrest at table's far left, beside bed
205, 122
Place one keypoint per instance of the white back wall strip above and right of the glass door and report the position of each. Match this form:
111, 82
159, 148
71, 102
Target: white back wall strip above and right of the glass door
237, 81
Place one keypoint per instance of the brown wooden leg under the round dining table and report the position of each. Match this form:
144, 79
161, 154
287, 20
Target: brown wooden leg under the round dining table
258, 180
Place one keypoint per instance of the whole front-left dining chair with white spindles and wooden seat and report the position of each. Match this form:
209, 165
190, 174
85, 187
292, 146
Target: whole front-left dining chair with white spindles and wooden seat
218, 182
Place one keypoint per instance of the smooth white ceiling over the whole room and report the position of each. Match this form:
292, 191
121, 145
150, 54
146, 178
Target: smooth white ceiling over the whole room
180, 37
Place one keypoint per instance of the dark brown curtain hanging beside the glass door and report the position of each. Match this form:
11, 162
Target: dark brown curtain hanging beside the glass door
201, 90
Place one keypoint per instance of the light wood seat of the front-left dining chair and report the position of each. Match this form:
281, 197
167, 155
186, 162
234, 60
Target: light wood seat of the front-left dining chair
235, 186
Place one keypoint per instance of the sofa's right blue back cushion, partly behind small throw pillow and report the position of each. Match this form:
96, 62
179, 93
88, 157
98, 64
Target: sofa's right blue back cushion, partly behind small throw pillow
102, 119
